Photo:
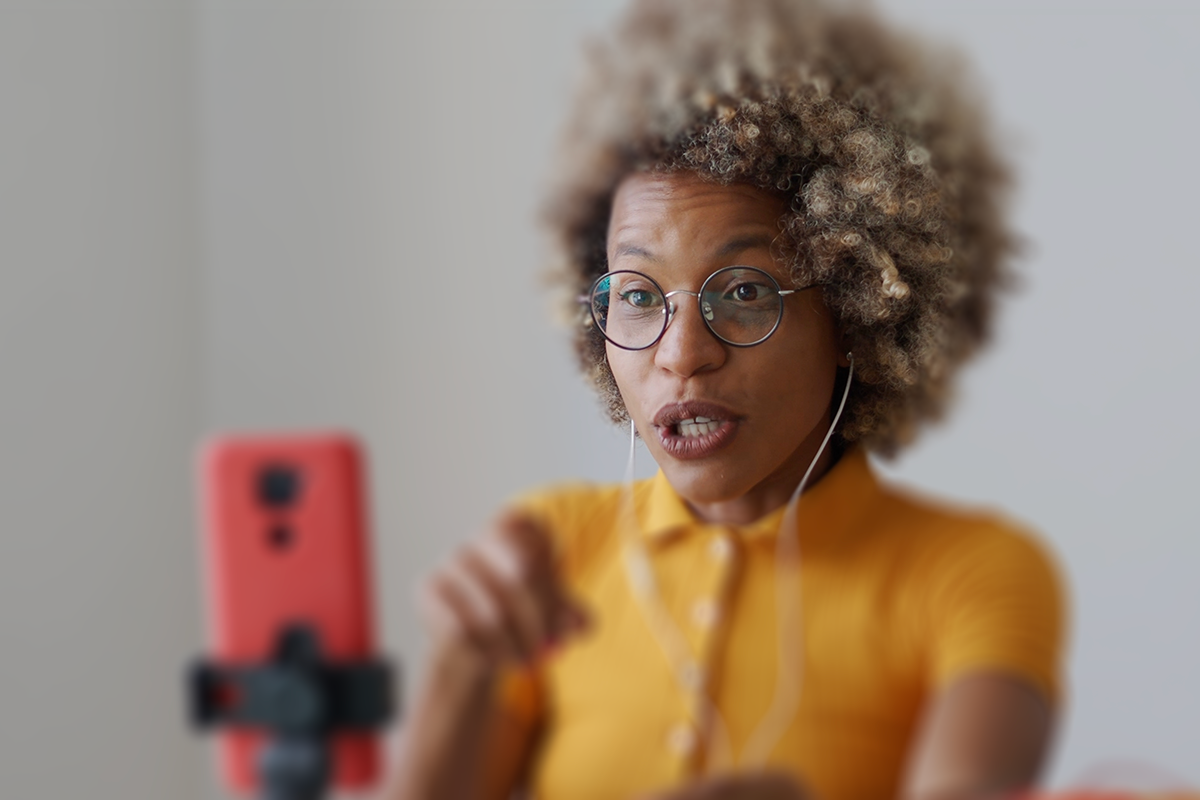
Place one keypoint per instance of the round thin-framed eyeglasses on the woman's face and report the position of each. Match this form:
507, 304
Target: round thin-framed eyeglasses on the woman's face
741, 305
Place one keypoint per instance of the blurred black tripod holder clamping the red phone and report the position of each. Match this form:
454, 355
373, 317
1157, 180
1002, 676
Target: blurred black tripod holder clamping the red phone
301, 700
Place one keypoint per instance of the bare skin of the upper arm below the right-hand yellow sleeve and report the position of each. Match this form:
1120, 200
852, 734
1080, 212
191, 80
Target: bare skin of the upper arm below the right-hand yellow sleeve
983, 736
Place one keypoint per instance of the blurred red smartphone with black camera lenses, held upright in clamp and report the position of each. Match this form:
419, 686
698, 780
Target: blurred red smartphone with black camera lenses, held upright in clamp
285, 532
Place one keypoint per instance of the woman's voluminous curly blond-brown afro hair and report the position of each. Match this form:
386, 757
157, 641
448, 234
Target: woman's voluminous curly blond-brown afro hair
897, 191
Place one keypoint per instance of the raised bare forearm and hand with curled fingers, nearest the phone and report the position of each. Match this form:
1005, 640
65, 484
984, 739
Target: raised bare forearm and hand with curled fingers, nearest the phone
495, 606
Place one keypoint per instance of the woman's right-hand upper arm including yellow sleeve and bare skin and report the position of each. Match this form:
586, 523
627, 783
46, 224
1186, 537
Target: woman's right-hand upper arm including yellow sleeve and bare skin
995, 616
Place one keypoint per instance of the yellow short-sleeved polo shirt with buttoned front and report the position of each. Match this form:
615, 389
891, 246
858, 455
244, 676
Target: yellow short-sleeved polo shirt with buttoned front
898, 598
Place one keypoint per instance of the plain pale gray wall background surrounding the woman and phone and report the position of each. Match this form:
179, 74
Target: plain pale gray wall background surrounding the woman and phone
231, 215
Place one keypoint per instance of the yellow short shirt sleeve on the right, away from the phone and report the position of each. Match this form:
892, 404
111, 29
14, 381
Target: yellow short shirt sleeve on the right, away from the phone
998, 605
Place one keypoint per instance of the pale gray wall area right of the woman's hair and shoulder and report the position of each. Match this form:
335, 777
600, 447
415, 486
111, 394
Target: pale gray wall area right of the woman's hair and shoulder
1078, 420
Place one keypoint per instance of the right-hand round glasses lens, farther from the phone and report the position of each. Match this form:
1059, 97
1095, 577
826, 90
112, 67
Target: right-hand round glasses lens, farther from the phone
742, 305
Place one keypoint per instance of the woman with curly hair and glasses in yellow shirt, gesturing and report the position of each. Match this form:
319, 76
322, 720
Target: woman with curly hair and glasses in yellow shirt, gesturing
781, 230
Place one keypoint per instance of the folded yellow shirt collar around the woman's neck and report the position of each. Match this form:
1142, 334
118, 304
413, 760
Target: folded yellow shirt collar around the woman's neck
826, 510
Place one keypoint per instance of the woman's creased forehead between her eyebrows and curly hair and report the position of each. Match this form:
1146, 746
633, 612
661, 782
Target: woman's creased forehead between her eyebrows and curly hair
681, 210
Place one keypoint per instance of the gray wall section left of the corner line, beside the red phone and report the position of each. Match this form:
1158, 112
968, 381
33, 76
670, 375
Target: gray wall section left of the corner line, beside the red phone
100, 399
